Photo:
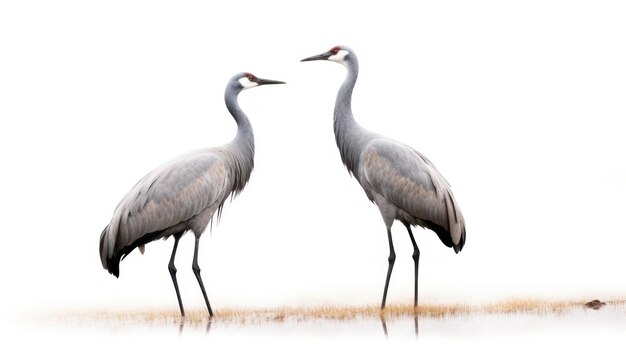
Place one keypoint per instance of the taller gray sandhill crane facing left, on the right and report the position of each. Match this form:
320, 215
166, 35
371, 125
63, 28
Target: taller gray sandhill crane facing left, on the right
403, 183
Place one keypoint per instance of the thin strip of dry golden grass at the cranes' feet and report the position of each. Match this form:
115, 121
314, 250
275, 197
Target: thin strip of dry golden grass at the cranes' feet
299, 314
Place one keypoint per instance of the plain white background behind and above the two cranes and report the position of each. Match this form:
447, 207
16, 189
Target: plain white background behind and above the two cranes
519, 104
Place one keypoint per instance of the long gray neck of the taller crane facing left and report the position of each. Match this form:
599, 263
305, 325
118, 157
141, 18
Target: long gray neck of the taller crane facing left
349, 135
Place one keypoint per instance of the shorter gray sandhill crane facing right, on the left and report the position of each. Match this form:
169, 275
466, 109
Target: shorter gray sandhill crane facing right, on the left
183, 194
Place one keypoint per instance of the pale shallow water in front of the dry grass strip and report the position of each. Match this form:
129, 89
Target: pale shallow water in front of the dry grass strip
574, 327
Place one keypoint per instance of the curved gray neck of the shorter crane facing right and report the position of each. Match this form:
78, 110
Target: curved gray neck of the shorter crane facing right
241, 148
